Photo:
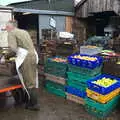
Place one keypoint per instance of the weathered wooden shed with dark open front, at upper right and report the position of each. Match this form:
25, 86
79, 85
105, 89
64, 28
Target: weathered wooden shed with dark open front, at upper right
94, 15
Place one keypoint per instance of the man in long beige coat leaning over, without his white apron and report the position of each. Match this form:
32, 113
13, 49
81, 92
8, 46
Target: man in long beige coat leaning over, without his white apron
18, 38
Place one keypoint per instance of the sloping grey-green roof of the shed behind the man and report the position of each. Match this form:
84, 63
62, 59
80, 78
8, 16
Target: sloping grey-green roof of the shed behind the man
55, 5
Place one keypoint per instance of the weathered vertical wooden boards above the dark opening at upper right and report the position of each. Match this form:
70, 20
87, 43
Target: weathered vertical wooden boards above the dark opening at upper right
89, 6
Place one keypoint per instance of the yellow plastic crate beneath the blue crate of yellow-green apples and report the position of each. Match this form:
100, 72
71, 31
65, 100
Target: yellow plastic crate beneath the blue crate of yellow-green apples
102, 98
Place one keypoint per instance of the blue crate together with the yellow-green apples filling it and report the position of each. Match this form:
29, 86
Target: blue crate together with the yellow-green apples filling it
104, 84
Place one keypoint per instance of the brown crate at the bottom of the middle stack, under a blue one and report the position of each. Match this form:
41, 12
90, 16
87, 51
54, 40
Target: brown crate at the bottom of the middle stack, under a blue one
75, 99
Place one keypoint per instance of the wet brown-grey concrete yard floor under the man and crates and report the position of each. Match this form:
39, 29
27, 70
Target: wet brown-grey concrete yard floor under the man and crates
52, 108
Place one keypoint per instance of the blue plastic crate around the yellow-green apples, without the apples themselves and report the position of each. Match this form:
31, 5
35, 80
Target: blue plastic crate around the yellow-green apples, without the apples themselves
100, 89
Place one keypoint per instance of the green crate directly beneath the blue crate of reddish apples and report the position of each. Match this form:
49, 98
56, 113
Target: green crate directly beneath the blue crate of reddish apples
84, 71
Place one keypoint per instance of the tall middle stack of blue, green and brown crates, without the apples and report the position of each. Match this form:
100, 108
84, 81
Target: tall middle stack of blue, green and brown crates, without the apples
79, 72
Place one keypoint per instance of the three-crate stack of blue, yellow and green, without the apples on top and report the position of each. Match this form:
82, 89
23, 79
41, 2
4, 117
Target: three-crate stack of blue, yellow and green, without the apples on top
101, 100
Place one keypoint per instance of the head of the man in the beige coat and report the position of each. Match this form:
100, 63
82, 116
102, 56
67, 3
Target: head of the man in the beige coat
11, 25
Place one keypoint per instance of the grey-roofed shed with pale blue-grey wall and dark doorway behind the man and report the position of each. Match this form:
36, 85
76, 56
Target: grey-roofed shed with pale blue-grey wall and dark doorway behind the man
36, 14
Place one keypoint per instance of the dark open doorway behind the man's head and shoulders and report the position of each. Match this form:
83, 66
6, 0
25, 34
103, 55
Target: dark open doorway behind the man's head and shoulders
29, 22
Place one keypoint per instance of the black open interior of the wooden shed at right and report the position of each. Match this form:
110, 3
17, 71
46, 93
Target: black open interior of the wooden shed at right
100, 20
